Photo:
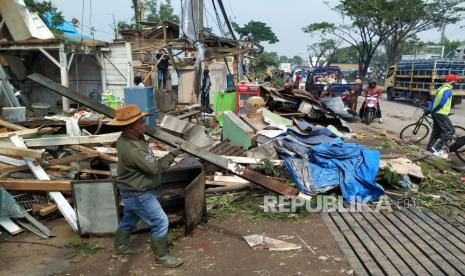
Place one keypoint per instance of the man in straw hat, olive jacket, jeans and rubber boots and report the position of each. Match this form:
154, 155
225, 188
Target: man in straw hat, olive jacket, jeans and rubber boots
139, 174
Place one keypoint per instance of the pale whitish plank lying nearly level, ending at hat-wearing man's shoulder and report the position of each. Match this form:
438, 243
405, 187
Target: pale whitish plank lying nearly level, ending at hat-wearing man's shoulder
62, 141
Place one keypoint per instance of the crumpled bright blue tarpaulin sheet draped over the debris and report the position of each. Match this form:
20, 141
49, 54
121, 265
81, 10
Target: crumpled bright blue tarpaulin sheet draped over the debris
350, 166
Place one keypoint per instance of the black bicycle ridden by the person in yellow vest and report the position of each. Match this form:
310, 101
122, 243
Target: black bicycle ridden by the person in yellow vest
418, 131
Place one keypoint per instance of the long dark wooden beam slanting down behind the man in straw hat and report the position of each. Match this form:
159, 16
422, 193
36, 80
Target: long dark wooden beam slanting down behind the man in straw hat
237, 169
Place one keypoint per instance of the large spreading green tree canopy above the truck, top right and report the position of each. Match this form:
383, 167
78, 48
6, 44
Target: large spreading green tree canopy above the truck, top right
386, 22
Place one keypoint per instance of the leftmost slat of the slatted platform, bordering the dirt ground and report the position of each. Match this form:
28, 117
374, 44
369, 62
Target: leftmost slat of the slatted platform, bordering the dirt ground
354, 261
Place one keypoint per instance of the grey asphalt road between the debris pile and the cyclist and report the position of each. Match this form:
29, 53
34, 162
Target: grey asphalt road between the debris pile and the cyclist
397, 114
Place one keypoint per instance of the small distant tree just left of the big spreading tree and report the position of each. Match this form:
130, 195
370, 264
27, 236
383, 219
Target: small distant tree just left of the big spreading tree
324, 49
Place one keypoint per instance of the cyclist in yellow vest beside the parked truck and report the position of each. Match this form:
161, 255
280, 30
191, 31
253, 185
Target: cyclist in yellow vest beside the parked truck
443, 130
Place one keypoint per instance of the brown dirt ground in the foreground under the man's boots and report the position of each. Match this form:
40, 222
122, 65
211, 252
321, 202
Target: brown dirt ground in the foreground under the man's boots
213, 249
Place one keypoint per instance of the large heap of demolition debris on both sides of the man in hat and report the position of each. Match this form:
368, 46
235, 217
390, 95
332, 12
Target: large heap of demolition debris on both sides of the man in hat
304, 151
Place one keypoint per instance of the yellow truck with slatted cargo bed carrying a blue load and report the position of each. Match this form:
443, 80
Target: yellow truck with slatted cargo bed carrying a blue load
419, 80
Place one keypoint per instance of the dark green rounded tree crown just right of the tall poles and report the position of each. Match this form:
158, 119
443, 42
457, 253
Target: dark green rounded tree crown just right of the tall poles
257, 31
